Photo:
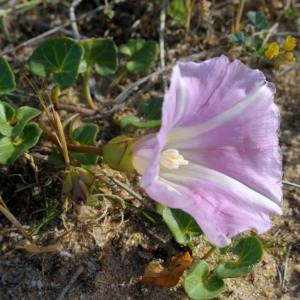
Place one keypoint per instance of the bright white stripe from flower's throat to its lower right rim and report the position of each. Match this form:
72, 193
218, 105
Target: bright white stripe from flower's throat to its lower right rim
193, 172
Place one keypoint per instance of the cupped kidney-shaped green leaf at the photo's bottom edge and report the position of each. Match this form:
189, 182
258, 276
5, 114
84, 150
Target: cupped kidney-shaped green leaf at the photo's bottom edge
199, 285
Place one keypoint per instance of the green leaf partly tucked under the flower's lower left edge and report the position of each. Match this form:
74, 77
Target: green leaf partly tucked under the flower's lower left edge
182, 225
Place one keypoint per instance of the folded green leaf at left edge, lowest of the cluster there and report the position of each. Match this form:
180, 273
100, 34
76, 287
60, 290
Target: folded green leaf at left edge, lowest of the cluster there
11, 150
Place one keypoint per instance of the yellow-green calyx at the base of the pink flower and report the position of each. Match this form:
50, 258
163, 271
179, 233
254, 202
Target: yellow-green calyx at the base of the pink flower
117, 153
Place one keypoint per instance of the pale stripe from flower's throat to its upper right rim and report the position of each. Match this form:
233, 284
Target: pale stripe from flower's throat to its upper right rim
178, 135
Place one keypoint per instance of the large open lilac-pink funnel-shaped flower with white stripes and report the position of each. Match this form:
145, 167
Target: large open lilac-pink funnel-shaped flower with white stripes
216, 155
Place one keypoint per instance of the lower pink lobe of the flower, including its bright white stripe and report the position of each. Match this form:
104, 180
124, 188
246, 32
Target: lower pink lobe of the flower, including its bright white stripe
222, 206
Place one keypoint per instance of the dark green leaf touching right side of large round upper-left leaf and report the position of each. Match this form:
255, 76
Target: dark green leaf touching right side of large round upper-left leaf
102, 53
